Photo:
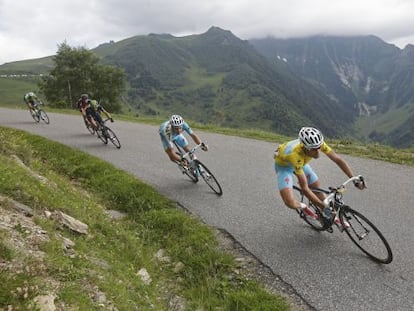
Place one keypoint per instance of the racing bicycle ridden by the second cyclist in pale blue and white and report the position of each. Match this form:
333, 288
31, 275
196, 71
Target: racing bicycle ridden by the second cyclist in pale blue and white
194, 168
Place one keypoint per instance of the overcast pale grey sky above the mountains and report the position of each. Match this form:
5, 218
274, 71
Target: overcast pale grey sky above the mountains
35, 28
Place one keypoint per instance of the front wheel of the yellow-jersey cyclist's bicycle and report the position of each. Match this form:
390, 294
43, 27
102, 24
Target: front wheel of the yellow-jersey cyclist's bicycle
365, 235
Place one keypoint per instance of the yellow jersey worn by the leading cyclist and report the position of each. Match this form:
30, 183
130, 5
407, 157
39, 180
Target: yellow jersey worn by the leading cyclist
292, 154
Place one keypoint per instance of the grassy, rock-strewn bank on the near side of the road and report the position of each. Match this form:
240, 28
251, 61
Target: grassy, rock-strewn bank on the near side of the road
102, 268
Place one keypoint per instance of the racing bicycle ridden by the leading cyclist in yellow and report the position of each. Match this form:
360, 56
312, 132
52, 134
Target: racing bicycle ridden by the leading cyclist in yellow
362, 232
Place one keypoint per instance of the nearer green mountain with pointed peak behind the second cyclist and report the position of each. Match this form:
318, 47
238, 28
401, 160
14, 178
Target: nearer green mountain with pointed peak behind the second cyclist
218, 78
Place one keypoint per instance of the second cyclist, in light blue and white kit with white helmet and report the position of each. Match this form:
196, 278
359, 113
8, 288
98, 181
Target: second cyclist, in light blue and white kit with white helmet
172, 130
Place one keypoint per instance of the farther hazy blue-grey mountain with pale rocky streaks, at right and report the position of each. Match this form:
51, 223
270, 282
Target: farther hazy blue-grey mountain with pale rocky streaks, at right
367, 77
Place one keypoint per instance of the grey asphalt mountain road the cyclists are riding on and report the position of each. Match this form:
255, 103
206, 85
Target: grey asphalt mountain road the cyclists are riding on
326, 270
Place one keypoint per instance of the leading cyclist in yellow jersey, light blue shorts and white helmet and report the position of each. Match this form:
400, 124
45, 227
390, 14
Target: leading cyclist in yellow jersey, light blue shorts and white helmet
293, 157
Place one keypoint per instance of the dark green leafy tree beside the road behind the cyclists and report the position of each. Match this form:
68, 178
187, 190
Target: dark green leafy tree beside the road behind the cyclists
78, 71
